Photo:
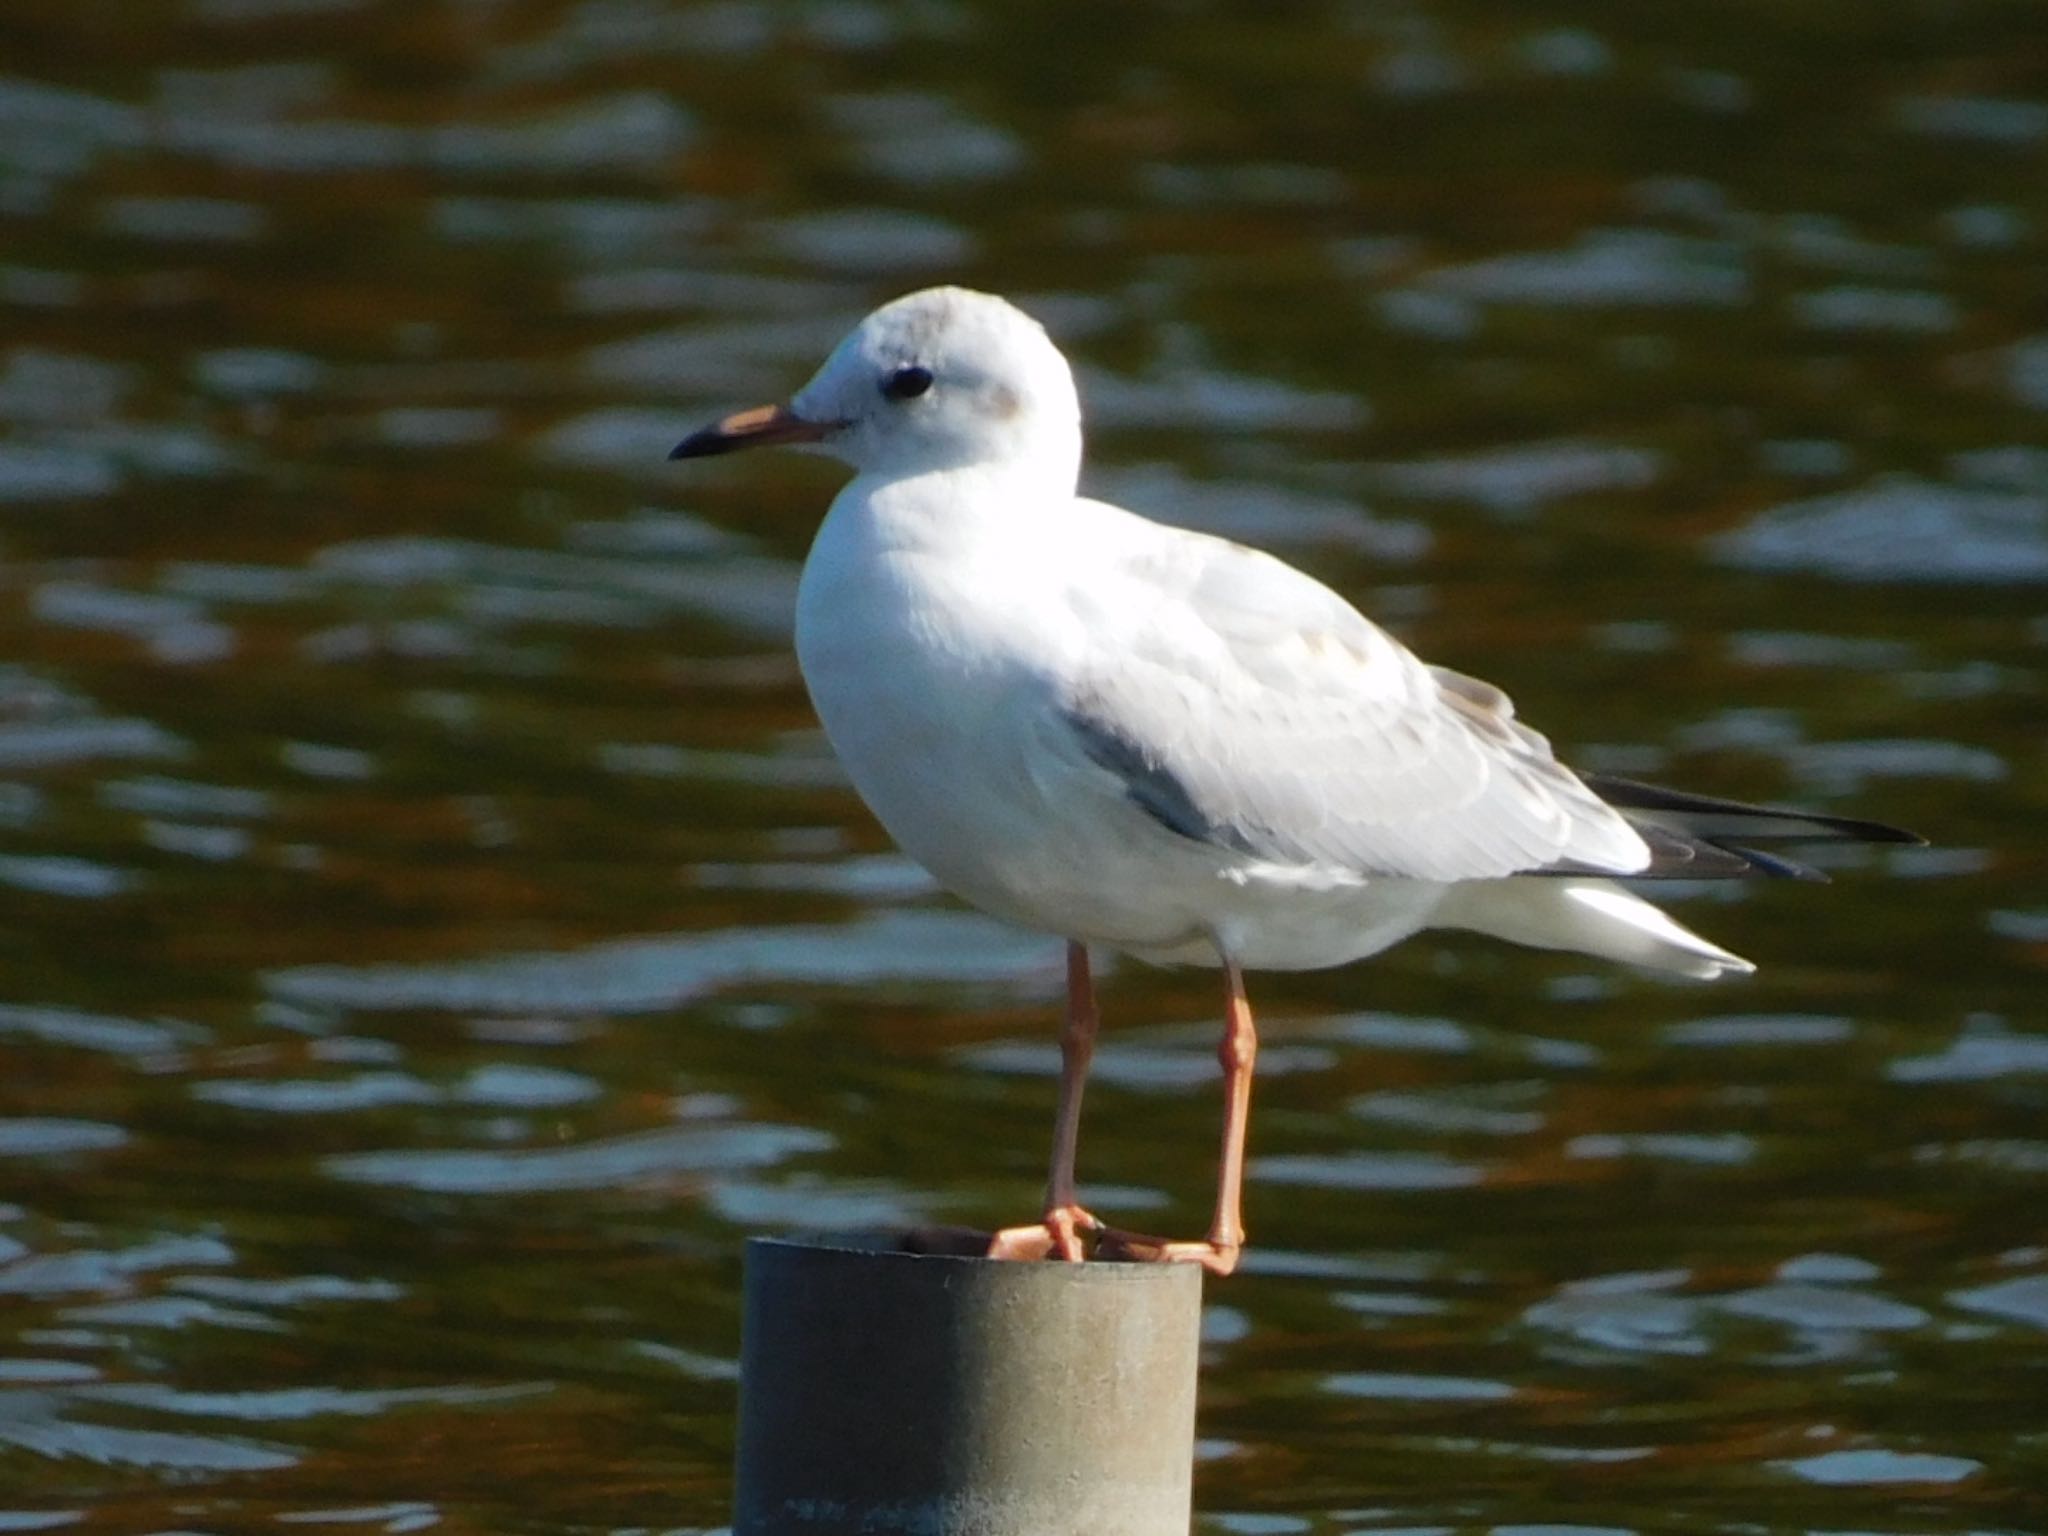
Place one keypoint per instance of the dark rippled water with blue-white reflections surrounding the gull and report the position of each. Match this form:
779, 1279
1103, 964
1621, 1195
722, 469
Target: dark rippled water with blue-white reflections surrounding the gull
433, 931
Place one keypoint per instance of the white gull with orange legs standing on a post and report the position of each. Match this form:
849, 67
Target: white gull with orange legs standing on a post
1166, 744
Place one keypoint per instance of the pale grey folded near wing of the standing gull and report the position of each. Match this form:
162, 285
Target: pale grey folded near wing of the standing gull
1246, 706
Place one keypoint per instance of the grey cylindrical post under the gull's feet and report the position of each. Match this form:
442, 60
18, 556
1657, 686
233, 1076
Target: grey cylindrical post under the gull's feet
886, 1392
